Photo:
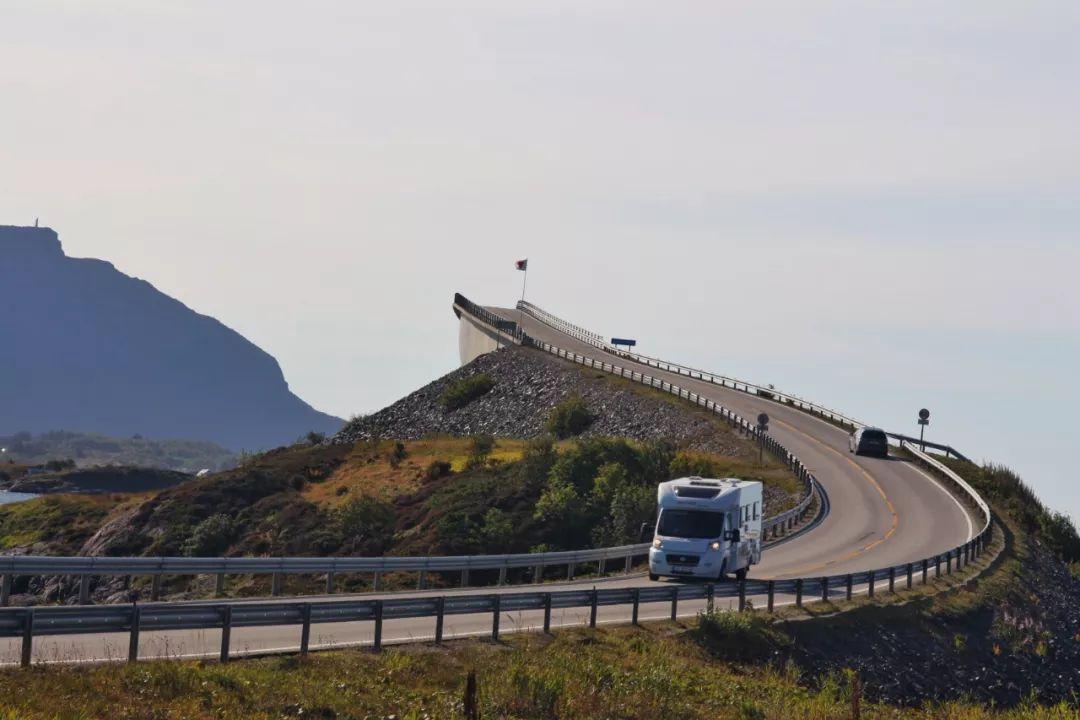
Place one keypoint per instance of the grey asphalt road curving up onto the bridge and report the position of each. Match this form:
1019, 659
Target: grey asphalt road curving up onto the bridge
883, 513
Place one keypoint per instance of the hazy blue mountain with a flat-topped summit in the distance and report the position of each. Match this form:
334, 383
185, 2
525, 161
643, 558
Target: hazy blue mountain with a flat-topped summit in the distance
87, 348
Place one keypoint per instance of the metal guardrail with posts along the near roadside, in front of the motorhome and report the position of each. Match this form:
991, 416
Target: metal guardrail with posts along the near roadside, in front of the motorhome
58, 621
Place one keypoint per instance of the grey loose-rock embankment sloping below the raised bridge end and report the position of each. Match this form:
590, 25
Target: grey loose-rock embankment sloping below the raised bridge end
528, 386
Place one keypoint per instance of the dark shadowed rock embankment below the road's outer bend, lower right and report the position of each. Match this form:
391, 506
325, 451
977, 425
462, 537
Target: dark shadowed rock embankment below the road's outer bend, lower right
1003, 653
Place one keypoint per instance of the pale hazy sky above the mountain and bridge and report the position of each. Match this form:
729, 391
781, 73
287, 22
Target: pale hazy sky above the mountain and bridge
873, 205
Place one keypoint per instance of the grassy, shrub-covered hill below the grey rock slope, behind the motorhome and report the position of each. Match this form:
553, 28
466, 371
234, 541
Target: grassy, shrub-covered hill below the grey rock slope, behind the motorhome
440, 496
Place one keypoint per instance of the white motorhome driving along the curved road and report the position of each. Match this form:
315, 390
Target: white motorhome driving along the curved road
707, 528
